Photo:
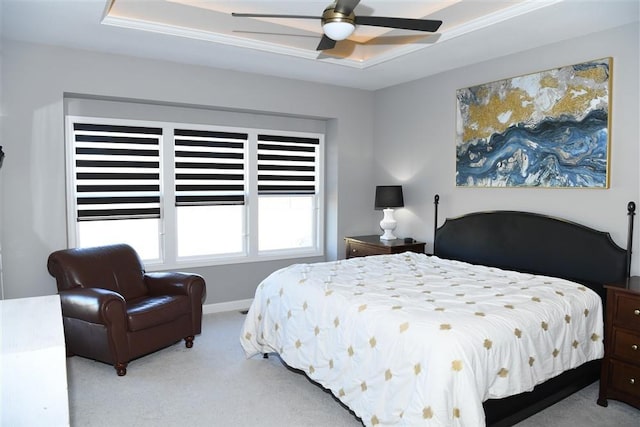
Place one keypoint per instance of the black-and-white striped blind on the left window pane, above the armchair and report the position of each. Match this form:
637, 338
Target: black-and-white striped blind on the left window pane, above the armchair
117, 170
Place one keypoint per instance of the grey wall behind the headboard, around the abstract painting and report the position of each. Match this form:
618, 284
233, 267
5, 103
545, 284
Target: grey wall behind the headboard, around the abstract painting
415, 141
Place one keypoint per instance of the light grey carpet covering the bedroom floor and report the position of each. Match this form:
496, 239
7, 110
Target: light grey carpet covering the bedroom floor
213, 384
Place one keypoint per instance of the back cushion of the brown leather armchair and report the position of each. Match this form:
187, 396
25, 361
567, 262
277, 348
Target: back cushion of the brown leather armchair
115, 267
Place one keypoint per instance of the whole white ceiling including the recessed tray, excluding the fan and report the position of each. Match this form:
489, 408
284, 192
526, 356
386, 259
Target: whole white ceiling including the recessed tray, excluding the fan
203, 32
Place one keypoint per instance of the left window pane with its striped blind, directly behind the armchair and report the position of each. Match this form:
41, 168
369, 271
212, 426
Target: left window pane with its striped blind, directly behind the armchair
117, 186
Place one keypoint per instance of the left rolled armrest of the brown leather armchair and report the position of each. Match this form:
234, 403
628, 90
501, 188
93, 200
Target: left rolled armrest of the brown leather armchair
93, 305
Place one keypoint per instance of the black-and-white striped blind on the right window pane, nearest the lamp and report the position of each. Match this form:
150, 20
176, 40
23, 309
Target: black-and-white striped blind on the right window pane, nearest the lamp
287, 165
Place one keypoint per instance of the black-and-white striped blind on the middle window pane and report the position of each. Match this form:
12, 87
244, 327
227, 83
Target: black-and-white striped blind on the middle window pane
209, 167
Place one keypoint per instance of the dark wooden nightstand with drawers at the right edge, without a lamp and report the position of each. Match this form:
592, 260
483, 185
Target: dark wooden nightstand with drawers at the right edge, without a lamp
620, 376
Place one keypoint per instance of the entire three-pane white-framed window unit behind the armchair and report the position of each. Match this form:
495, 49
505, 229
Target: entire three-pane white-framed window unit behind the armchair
193, 194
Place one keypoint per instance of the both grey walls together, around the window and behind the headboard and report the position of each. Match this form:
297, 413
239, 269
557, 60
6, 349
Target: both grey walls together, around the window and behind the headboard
403, 134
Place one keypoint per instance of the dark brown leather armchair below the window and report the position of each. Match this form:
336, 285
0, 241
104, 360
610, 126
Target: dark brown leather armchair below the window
113, 311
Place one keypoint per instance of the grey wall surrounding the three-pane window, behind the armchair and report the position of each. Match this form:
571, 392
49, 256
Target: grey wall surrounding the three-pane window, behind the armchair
34, 81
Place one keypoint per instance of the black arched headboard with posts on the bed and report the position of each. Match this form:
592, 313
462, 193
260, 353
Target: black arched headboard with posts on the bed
534, 243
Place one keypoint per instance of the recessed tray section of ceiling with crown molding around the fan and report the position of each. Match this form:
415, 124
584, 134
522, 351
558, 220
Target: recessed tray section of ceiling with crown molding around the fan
212, 21
